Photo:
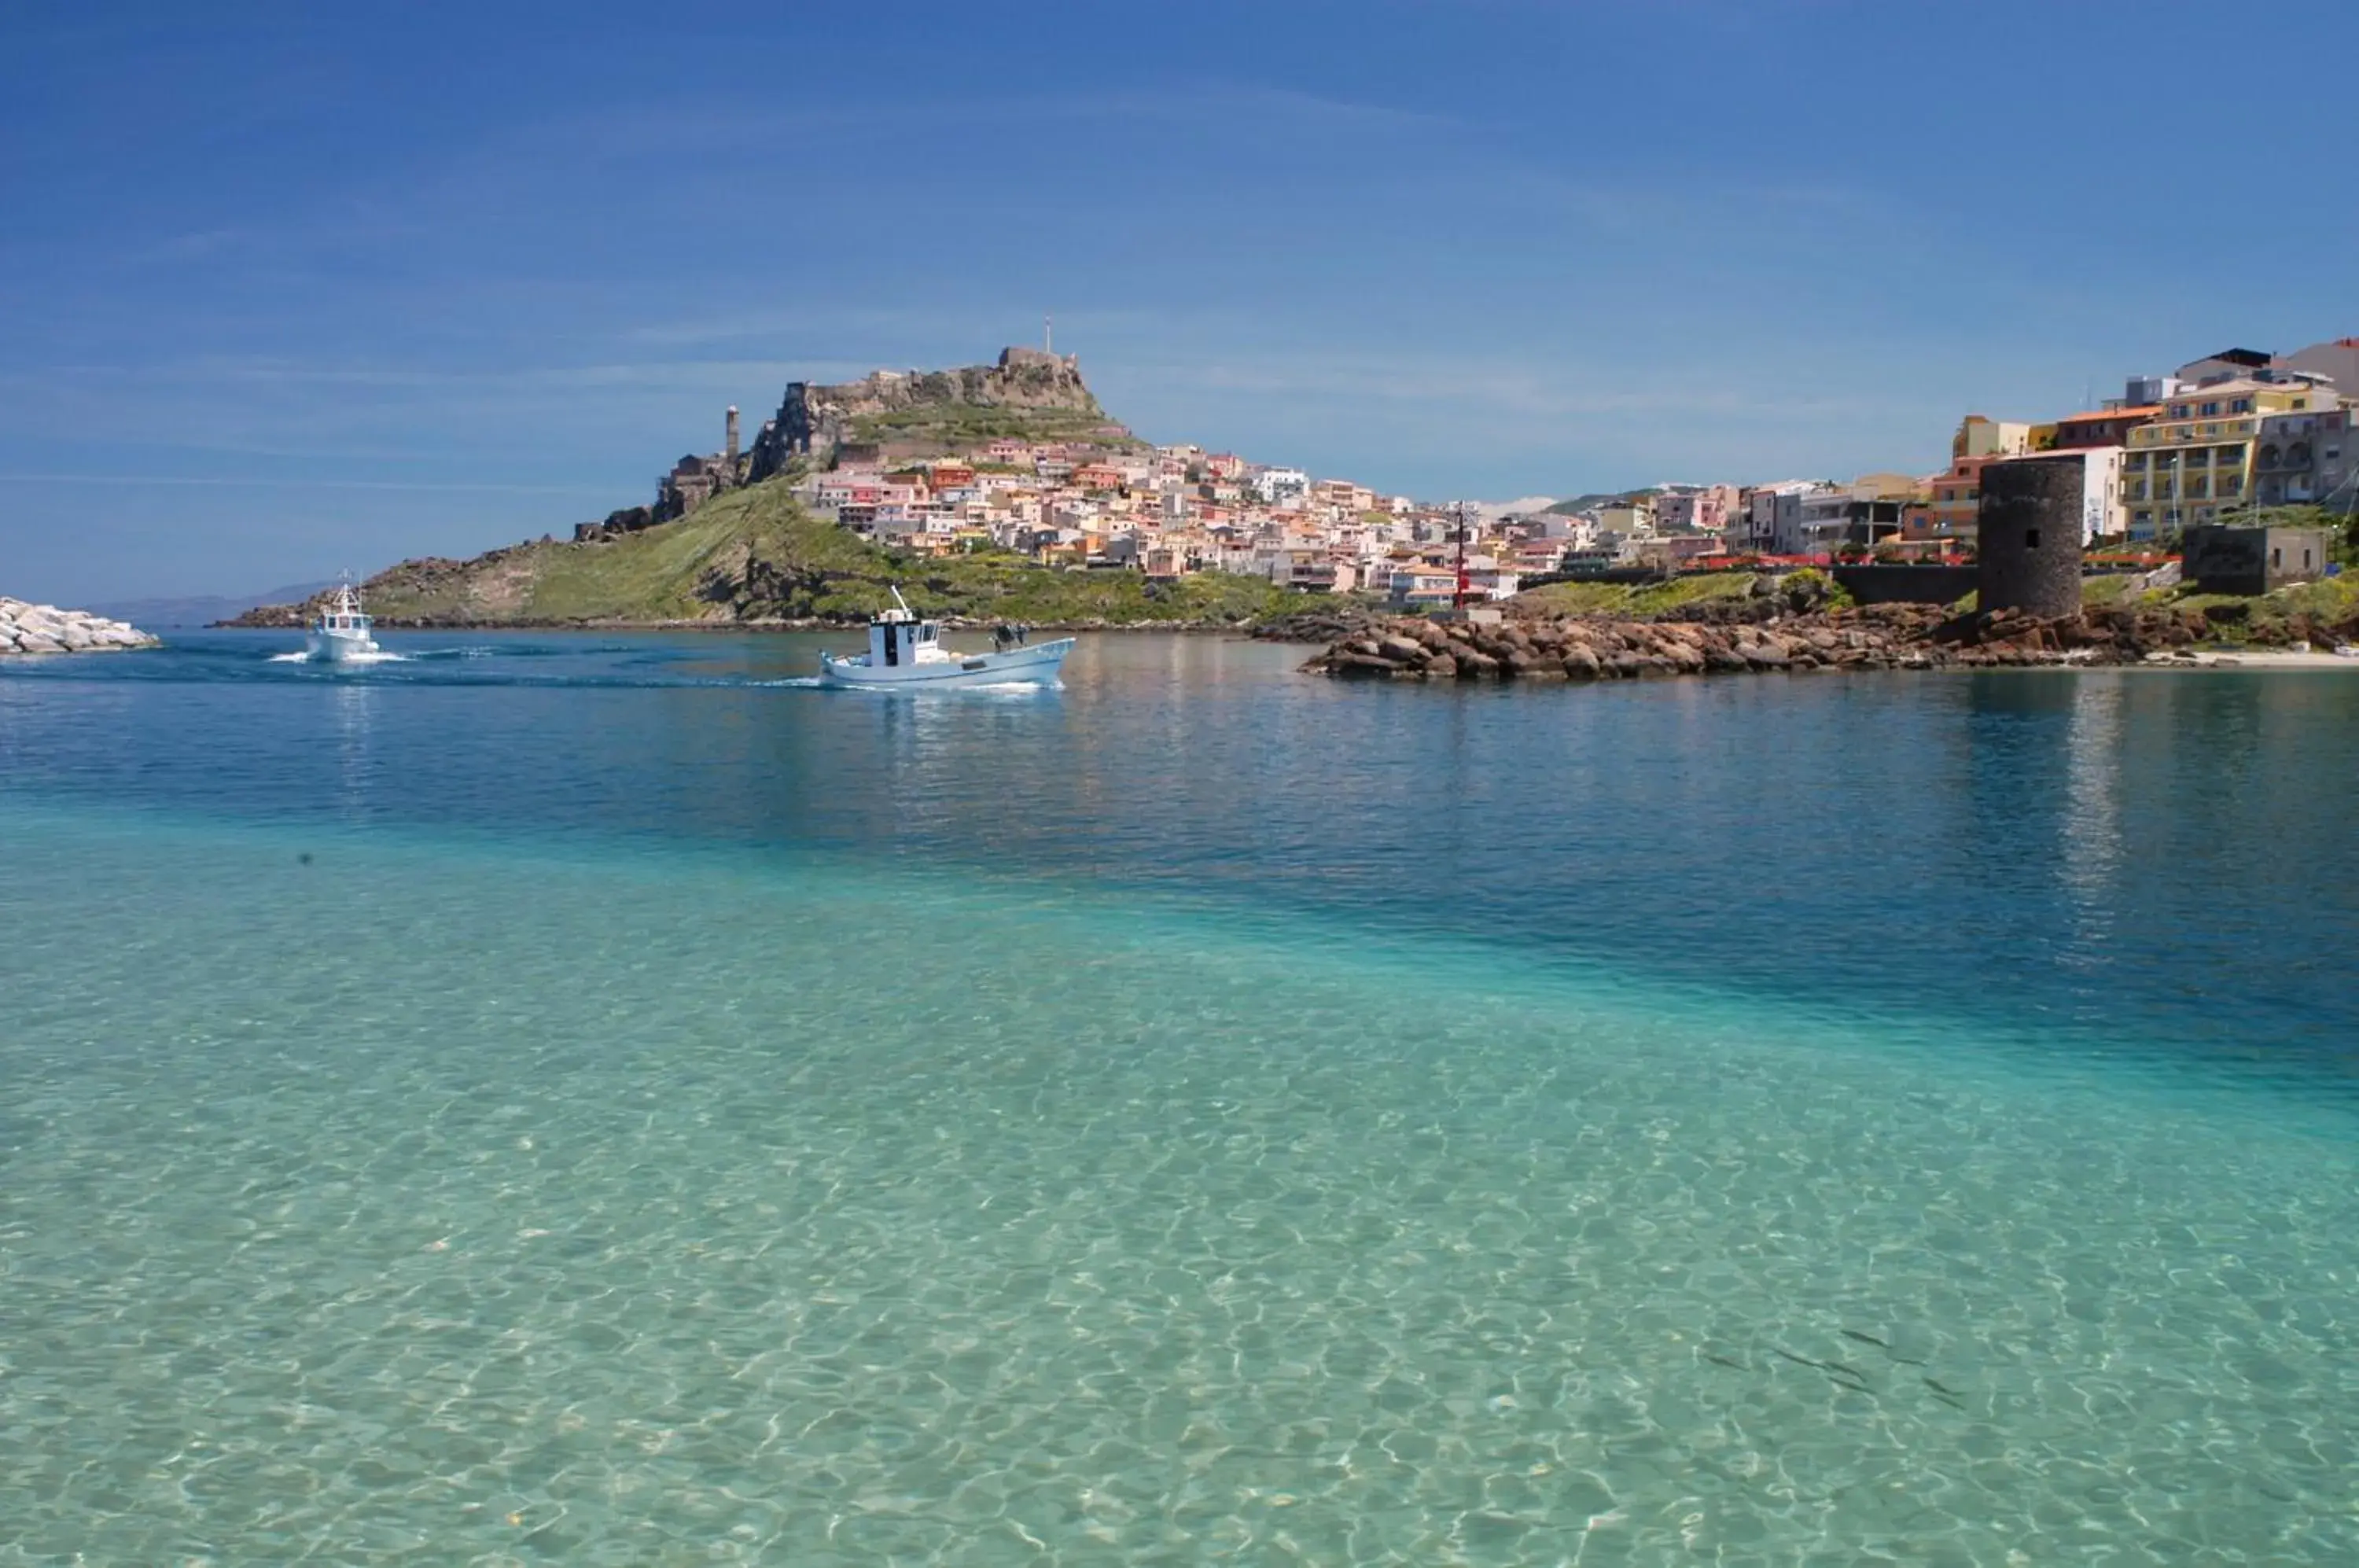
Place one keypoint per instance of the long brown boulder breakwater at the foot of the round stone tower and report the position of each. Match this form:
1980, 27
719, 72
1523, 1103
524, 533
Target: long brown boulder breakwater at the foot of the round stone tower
1877, 638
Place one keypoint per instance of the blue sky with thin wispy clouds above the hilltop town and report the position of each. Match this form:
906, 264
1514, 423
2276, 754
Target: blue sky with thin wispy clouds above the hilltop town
291, 289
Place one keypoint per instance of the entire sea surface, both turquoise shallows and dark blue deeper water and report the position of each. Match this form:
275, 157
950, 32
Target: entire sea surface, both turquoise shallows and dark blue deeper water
1197, 1116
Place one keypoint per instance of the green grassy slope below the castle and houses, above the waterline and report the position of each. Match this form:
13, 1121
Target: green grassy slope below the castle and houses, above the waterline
756, 558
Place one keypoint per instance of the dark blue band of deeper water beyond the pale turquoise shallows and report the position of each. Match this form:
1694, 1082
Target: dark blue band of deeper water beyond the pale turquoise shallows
2096, 852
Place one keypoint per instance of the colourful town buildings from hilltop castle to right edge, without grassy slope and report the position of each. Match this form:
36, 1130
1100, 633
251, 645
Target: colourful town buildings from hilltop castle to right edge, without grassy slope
2204, 444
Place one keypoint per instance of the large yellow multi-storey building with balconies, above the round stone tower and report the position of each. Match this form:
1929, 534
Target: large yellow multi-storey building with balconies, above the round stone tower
2195, 463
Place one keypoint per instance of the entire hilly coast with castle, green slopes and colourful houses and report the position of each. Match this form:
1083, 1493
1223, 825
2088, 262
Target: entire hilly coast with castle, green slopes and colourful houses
1008, 492
